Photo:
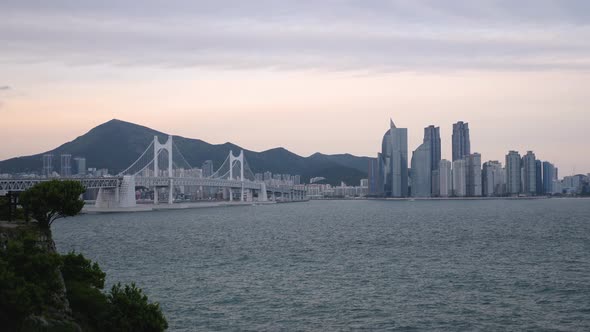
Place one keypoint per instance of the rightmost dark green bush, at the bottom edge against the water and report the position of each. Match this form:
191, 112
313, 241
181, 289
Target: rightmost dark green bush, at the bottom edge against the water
131, 311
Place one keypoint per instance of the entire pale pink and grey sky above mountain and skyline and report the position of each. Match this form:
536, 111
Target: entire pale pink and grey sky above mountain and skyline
310, 76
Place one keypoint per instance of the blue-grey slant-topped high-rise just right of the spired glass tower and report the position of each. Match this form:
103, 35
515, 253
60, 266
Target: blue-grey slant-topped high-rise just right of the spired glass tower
422, 171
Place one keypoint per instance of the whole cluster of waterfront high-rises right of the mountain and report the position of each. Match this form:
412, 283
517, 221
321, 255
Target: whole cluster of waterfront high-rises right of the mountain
464, 175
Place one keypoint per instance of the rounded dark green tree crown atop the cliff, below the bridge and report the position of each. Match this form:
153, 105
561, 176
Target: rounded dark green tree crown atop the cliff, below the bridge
48, 201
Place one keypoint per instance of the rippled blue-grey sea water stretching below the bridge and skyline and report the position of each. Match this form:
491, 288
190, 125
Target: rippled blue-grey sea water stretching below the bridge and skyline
352, 265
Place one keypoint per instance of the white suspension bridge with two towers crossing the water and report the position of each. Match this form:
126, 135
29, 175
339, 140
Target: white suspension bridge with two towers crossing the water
163, 171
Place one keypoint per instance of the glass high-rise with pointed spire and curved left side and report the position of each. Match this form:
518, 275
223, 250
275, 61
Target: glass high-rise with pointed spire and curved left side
394, 161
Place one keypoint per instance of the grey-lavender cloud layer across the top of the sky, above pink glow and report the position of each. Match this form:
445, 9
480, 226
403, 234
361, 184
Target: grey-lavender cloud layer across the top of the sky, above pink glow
331, 35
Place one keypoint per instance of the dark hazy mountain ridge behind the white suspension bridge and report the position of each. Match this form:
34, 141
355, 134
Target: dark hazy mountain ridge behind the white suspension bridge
117, 144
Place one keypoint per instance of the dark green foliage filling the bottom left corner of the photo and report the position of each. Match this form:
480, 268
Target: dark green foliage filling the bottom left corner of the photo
29, 278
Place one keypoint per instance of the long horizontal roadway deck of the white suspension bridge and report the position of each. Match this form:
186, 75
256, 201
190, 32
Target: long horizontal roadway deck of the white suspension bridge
17, 185
